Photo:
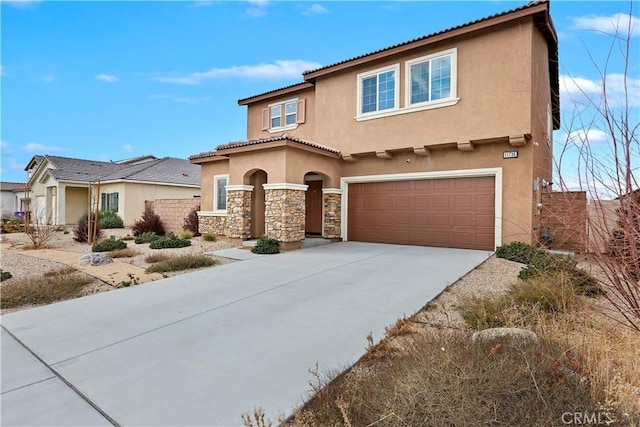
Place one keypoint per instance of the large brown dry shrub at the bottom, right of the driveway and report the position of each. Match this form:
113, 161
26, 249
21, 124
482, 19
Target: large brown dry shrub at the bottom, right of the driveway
442, 379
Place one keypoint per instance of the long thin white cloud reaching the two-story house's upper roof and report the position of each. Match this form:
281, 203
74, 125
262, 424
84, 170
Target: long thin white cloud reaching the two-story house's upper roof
279, 69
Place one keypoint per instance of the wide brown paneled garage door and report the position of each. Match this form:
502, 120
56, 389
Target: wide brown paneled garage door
453, 212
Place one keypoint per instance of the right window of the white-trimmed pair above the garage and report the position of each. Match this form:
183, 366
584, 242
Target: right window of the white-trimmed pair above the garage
431, 78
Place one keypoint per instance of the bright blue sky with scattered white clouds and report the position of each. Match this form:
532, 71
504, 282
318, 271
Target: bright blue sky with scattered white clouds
114, 80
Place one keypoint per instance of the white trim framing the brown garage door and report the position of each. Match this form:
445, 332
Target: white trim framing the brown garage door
461, 173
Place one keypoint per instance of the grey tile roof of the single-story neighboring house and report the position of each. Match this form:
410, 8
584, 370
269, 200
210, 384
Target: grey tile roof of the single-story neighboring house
166, 170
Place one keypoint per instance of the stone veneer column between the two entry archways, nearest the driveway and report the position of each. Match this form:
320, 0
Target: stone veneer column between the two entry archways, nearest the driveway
285, 211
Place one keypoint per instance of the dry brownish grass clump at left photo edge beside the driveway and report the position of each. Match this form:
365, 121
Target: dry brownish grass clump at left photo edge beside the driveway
53, 286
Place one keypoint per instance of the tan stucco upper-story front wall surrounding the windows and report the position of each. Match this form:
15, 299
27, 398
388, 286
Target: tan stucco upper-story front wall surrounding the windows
493, 85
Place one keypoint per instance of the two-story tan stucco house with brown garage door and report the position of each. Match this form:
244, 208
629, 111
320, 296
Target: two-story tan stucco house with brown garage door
444, 140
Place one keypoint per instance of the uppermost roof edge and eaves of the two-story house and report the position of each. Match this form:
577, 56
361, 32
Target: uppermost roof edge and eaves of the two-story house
539, 10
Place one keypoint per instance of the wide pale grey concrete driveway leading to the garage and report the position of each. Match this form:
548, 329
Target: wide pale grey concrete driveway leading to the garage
202, 348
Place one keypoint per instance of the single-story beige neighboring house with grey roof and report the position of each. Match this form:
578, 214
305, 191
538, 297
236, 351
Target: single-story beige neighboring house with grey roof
60, 185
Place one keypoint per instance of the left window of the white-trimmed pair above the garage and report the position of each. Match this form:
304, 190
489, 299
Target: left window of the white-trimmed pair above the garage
378, 90
